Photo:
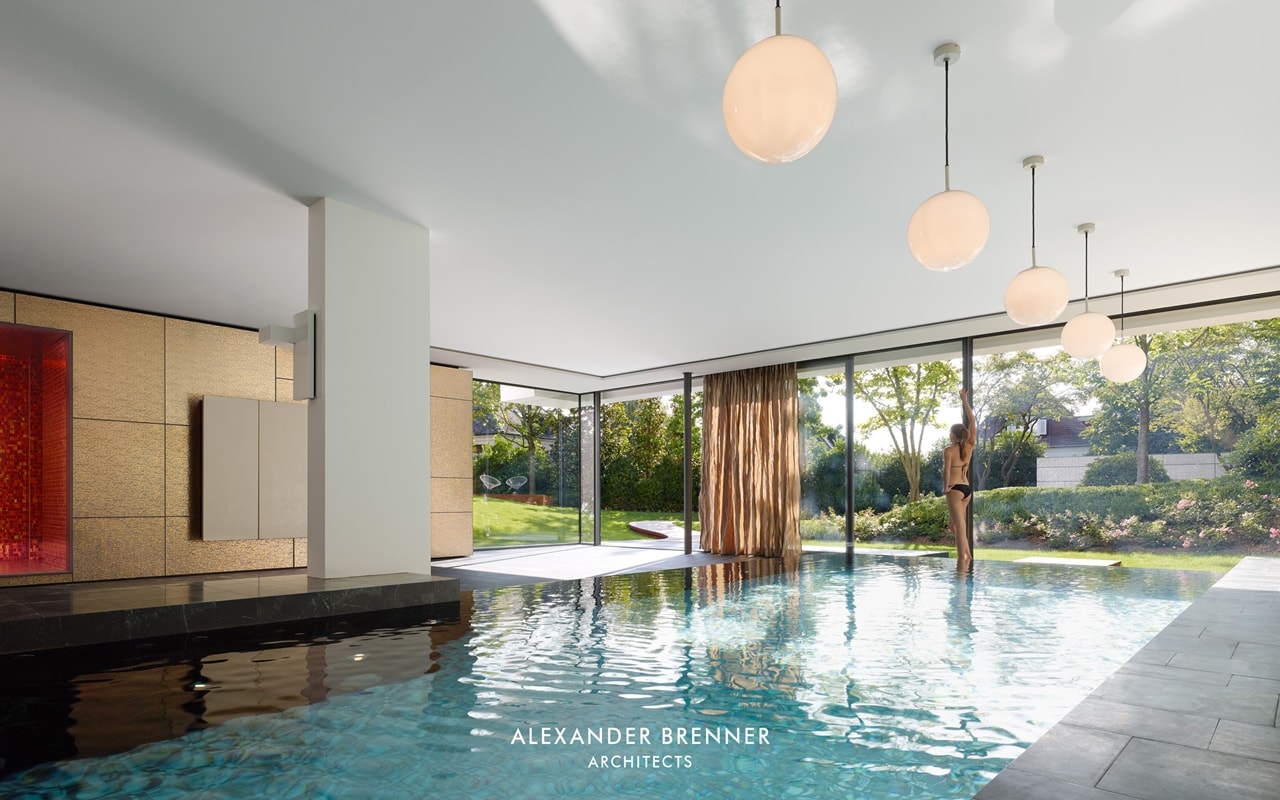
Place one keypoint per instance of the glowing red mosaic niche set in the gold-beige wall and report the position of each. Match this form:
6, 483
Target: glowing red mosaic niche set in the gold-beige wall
35, 450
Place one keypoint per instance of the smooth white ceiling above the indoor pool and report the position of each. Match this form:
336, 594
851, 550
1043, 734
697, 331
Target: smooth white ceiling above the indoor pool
588, 212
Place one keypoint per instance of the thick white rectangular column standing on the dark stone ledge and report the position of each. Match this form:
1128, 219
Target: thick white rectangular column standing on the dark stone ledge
369, 431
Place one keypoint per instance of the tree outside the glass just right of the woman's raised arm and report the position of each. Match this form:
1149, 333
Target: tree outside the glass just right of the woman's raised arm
1017, 391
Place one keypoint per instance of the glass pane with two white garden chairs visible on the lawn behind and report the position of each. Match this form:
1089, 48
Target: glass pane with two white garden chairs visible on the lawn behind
527, 467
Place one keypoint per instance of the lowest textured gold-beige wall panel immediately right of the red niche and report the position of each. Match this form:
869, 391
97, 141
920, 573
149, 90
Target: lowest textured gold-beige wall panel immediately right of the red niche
108, 550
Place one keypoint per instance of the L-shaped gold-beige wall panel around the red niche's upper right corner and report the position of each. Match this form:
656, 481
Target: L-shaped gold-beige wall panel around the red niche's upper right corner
118, 358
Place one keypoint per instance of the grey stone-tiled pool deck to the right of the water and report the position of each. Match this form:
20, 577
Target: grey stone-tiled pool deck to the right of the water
1192, 716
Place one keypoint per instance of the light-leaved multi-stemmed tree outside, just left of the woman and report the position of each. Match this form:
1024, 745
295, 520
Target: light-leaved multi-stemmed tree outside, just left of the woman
907, 401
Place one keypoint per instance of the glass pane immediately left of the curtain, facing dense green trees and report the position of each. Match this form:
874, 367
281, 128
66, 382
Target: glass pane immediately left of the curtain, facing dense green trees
642, 465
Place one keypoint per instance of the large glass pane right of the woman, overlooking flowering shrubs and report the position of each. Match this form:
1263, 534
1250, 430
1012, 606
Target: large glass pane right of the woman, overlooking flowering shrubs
1181, 460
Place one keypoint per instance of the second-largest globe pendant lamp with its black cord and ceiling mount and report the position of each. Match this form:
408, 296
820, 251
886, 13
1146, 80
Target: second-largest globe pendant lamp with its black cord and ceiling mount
950, 228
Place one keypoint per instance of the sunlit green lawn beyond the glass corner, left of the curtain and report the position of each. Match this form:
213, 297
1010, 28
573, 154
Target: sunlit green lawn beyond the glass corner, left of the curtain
508, 524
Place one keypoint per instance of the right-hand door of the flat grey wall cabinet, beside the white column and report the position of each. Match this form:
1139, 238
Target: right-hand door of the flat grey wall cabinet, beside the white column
282, 464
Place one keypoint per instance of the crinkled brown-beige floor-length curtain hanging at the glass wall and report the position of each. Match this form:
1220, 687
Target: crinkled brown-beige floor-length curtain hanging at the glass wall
751, 497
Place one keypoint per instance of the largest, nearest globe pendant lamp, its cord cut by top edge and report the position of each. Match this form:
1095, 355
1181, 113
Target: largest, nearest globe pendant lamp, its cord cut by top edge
780, 98
